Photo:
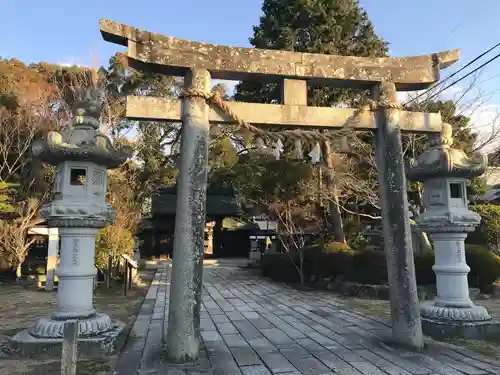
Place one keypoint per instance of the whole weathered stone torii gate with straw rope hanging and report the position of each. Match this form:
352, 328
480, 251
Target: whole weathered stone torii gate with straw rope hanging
198, 63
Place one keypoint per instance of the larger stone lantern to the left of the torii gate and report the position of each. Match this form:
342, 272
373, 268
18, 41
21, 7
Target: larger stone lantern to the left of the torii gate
82, 155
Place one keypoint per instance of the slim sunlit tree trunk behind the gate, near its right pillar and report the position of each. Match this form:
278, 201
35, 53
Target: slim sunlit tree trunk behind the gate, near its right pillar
335, 217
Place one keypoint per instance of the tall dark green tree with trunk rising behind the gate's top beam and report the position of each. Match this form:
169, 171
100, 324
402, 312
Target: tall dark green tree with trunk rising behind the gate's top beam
337, 27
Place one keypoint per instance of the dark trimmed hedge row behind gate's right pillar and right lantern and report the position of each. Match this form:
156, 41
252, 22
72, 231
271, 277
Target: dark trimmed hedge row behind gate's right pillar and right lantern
369, 266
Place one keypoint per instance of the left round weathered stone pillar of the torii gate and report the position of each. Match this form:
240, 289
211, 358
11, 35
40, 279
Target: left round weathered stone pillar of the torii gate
183, 341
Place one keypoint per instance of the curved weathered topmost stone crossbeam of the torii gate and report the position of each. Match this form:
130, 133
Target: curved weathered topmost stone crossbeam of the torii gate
173, 56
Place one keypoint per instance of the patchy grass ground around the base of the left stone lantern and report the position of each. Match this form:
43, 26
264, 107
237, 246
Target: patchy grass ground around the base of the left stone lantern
22, 304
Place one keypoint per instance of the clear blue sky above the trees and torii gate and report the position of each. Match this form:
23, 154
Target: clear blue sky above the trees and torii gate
60, 31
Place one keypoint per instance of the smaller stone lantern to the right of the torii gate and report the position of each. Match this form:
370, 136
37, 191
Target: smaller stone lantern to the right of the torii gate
447, 220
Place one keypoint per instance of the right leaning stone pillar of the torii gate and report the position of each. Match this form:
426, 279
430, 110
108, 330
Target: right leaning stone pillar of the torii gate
405, 311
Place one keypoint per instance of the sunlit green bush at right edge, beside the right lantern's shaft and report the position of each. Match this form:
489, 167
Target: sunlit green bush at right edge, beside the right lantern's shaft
487, 232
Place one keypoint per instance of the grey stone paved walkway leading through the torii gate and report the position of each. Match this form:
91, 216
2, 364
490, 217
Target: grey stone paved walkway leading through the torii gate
252, 326
